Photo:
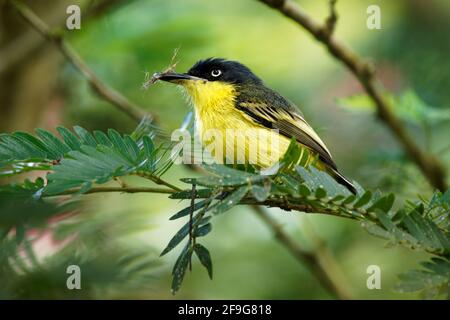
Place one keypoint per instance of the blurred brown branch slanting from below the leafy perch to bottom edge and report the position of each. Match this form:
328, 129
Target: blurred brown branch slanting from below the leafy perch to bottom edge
309, 259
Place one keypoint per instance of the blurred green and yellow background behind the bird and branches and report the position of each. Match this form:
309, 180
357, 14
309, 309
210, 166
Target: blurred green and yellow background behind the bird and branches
122, 40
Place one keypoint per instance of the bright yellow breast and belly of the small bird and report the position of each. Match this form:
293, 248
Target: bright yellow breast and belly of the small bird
226, 132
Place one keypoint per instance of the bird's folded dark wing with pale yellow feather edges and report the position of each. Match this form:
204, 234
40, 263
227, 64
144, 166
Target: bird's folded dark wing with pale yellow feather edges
271, 110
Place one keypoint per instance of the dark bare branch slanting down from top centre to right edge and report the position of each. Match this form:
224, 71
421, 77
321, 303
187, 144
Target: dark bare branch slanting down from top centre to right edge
365, 73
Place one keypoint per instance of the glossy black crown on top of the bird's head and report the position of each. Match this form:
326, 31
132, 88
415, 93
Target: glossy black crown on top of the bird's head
217, 69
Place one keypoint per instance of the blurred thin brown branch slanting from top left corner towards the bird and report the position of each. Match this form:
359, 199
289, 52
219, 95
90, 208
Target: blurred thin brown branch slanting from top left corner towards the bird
100, 87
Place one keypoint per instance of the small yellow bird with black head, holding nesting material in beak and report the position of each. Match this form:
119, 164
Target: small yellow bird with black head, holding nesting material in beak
227, 95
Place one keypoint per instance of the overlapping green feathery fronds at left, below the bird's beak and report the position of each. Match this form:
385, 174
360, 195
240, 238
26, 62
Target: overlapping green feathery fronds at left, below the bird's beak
77, 159
